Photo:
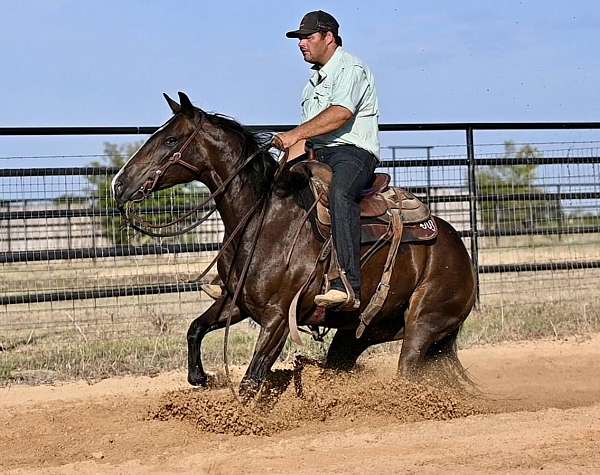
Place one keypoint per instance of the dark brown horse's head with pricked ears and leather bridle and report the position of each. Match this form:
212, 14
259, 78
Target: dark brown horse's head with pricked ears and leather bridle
164, 160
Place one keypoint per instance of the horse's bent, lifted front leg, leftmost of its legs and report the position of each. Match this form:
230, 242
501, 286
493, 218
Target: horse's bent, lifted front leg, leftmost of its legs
214, 318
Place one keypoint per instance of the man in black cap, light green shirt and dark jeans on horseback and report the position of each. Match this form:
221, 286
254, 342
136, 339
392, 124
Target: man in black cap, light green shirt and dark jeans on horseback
340, 123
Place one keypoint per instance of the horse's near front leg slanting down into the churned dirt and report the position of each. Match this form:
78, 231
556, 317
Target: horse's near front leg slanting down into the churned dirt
271, 339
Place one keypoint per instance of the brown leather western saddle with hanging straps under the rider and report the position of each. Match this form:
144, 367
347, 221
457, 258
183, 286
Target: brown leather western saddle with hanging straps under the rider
387, 214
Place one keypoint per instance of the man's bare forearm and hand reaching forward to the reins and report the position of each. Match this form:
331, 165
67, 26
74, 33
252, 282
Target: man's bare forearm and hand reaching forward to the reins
332, 118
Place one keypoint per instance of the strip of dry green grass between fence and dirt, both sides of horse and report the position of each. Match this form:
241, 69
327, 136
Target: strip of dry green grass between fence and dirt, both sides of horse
70, 357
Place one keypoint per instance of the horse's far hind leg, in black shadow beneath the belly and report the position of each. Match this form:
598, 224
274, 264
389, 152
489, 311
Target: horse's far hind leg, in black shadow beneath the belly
345, 348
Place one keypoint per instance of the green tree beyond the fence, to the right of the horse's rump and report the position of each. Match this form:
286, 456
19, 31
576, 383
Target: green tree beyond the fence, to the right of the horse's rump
501, 180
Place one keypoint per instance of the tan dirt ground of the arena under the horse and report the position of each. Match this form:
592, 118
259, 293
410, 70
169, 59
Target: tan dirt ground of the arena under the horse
542, 412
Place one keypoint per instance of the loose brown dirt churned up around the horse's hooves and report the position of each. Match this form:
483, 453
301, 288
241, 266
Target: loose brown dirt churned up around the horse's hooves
316, 395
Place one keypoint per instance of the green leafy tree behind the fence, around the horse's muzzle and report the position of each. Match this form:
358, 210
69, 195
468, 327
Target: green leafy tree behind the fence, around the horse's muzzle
101, 196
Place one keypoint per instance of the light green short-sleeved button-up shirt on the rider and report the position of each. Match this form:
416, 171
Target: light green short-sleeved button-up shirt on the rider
344, 81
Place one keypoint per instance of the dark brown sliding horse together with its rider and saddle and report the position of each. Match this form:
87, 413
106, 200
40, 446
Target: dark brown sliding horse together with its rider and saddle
271, 264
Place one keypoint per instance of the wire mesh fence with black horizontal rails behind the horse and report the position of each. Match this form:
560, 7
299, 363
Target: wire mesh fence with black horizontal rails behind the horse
527, 212
